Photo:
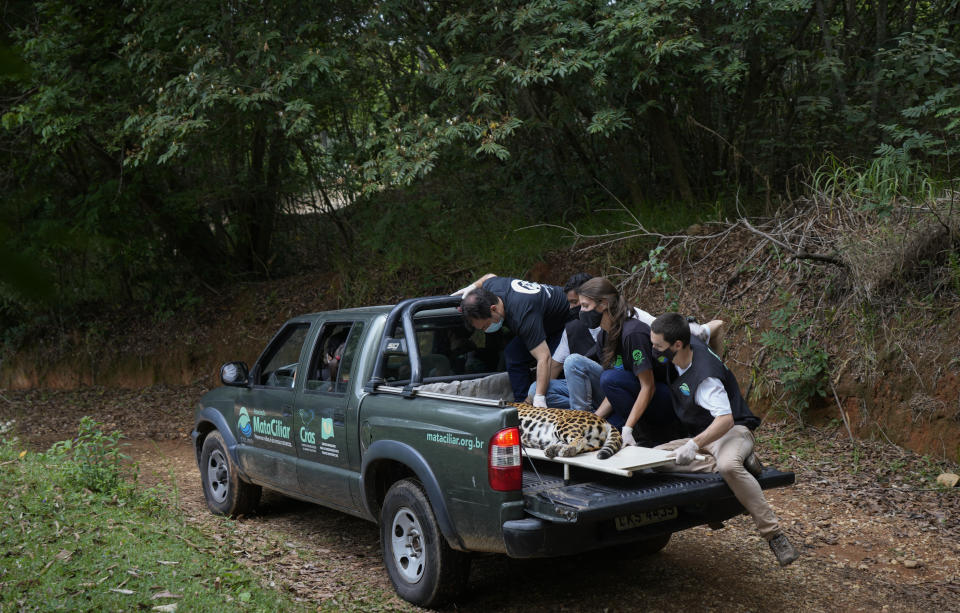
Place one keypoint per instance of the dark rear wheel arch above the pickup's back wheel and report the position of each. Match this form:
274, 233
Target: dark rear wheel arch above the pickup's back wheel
385, 463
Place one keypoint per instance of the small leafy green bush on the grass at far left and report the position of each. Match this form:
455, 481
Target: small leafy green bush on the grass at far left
93, 460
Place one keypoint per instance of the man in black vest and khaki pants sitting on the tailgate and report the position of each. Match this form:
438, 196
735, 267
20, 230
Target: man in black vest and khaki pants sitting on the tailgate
718, 422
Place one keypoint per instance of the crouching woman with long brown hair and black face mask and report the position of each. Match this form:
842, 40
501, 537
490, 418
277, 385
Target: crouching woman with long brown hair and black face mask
636, 396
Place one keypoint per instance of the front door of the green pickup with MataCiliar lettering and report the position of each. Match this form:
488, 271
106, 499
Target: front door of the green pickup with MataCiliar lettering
265, 424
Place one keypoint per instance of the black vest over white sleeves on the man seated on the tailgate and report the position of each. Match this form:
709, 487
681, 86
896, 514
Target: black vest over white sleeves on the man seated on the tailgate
695, 418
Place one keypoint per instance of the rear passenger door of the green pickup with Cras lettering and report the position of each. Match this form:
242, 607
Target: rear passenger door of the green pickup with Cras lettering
321, 416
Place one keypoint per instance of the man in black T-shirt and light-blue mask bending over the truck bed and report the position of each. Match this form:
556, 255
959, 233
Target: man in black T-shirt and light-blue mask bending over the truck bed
537, 315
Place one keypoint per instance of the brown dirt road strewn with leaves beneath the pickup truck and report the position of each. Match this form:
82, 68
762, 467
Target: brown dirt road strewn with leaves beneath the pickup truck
872, 538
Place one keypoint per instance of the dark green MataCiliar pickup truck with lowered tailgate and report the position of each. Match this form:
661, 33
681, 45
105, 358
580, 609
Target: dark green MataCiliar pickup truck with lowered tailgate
393, 414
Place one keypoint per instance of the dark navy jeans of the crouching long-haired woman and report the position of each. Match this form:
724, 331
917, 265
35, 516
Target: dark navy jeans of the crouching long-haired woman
659, 423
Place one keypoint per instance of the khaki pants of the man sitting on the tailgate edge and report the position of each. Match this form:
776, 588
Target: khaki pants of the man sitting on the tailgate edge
726, 456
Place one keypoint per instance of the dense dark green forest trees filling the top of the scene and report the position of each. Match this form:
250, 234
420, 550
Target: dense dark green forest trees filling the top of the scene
195, 138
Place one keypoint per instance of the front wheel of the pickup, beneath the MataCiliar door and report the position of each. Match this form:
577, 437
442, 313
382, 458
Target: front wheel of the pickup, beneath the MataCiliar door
225, 492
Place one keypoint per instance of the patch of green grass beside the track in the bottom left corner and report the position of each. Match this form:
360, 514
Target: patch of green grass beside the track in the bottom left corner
77, 538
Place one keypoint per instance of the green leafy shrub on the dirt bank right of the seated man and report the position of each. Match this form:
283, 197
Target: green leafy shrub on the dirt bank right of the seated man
796, 358
